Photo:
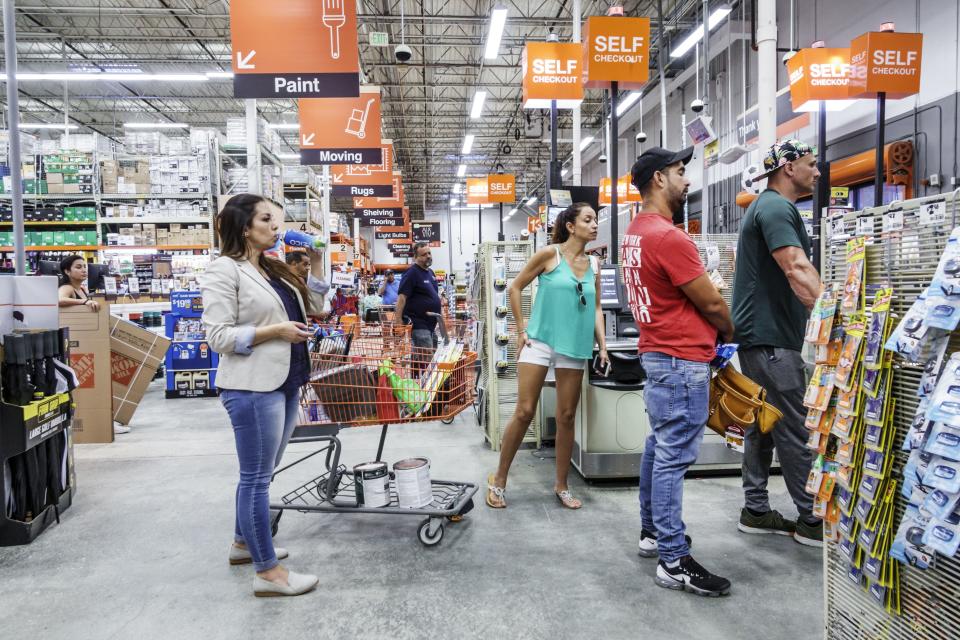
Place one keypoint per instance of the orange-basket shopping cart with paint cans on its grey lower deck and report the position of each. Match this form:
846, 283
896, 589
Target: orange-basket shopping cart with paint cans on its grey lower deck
365, 375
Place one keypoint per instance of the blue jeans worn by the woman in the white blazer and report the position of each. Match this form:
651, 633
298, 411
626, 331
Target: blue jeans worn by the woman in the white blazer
262, 425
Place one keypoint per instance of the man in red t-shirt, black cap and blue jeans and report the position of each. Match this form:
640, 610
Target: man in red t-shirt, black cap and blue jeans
679, 314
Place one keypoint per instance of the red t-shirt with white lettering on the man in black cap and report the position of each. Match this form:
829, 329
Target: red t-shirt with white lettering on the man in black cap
658, 258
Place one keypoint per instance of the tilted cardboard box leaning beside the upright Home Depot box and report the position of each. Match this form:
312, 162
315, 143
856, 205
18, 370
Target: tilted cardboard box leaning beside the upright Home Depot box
135, 356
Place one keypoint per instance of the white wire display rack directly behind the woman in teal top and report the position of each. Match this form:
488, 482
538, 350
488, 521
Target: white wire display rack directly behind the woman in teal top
498, 397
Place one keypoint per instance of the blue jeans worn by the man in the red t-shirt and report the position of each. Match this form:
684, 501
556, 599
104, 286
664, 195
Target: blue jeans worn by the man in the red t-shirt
676, 394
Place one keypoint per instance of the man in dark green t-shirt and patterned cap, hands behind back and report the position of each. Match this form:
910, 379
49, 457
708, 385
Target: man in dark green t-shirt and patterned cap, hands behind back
775, 287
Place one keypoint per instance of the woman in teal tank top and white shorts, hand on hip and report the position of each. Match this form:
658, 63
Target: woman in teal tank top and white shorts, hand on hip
565, 323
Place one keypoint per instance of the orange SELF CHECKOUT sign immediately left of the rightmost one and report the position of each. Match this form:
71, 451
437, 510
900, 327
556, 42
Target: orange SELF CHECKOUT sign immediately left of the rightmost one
819, 74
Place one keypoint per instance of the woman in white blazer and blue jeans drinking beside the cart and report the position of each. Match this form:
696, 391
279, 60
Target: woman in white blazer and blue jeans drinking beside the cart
255, 310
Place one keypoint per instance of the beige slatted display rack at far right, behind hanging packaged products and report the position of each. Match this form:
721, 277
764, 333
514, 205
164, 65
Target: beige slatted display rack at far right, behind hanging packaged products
904, 259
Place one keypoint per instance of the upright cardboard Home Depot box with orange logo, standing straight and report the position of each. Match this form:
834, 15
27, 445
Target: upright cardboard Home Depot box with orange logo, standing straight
90, 359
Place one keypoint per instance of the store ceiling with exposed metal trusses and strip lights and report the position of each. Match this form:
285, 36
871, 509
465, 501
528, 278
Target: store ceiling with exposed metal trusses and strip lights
426, 101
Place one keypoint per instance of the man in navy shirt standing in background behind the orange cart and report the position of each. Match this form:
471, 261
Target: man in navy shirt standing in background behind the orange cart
419, 296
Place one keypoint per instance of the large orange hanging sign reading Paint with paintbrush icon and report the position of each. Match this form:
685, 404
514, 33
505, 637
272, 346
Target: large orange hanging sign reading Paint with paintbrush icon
294, 49
